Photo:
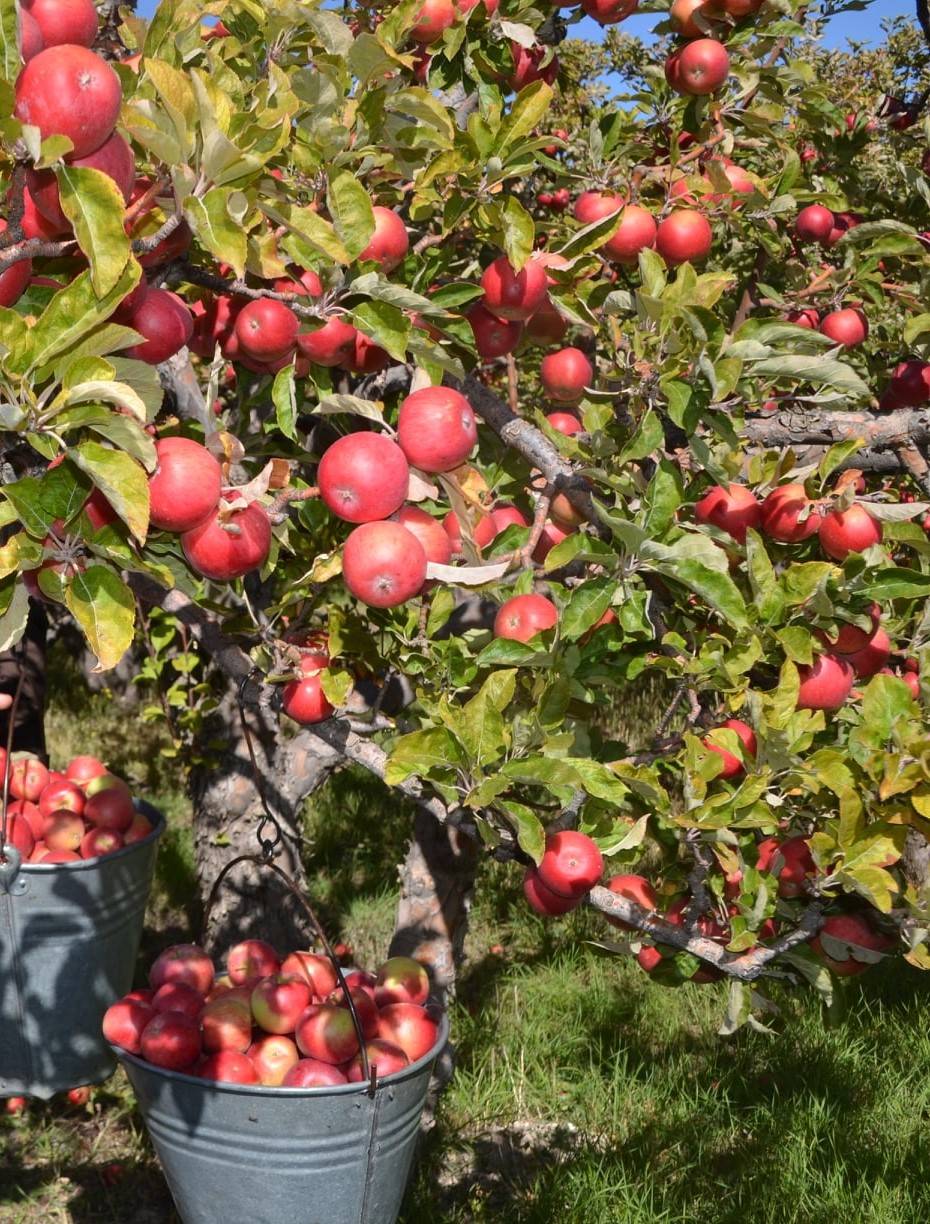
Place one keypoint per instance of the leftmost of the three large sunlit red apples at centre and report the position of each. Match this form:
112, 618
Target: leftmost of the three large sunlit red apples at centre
364, 477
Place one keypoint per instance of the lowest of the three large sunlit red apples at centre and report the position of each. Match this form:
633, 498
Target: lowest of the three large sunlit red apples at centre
384, 565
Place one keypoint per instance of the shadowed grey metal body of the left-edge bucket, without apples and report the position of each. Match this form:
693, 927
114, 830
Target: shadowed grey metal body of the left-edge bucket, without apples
69, 939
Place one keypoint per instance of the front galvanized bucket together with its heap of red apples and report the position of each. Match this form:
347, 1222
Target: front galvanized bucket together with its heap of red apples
255, 1091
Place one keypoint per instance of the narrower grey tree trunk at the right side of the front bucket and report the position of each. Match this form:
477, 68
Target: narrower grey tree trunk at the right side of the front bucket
436, 883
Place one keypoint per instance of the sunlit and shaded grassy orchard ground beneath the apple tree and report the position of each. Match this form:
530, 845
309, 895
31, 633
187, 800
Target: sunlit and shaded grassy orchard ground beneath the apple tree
583, 1091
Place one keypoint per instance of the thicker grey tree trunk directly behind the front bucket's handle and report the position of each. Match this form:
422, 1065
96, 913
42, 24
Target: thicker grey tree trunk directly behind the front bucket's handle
254, 904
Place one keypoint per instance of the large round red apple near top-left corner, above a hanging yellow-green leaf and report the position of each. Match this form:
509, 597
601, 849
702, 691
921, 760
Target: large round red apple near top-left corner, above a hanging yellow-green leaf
70, 91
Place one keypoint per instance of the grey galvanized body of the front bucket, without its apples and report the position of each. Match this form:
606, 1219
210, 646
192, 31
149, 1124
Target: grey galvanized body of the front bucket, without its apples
285, 1156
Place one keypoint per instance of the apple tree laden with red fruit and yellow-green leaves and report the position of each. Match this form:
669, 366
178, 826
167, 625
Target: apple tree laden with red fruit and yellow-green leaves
379, 373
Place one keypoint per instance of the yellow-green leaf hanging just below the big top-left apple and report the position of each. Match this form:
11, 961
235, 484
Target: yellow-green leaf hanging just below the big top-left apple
95, 206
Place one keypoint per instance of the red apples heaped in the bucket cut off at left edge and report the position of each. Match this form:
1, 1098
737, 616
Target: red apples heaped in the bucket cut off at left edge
64, 818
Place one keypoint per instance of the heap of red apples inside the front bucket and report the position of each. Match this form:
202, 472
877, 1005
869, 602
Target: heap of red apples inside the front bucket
272, 1021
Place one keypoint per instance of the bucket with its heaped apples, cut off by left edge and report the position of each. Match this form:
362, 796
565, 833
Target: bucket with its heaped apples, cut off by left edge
75, 876
